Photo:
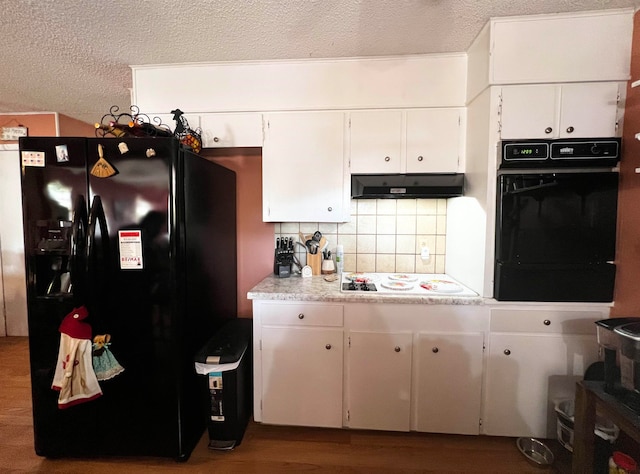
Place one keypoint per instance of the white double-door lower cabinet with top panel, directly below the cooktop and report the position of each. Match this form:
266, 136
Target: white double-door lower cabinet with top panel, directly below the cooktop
414, 367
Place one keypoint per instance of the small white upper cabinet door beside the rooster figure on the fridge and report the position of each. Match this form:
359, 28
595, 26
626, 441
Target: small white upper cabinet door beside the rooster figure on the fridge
231, 130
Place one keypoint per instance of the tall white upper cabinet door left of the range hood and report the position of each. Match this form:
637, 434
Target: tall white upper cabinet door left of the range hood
303, 168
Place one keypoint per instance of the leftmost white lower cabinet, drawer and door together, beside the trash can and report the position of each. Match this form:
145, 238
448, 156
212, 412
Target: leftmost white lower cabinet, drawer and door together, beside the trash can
298, 363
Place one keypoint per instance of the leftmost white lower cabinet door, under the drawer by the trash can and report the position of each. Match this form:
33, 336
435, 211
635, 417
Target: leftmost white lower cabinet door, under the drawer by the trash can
302, 376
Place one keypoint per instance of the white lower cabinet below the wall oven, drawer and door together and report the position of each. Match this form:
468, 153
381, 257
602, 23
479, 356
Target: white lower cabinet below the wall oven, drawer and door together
534, 358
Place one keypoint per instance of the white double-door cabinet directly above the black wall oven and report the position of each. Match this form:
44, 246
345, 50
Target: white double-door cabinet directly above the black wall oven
560, 111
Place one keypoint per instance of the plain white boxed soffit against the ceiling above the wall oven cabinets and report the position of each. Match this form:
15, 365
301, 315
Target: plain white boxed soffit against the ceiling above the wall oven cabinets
552, 48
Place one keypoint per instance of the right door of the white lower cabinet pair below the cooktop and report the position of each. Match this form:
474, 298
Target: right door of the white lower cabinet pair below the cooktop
449, 383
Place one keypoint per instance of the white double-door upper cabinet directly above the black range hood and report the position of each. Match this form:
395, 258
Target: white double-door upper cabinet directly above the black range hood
409, 141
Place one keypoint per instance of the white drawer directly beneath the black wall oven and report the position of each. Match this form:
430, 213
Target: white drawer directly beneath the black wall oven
545, 321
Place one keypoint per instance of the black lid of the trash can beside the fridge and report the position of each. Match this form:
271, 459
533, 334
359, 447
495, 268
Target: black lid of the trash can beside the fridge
228, 343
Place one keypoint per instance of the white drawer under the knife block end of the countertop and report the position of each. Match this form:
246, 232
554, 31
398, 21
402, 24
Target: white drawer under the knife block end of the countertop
302, 314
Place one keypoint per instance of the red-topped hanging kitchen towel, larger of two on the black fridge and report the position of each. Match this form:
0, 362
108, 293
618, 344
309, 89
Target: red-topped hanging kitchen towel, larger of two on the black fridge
74, 377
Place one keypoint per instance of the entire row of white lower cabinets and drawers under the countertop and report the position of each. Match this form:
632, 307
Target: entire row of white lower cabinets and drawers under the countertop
436, 368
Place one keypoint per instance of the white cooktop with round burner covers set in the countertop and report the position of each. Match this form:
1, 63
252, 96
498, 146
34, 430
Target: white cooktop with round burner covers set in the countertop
427, 284
